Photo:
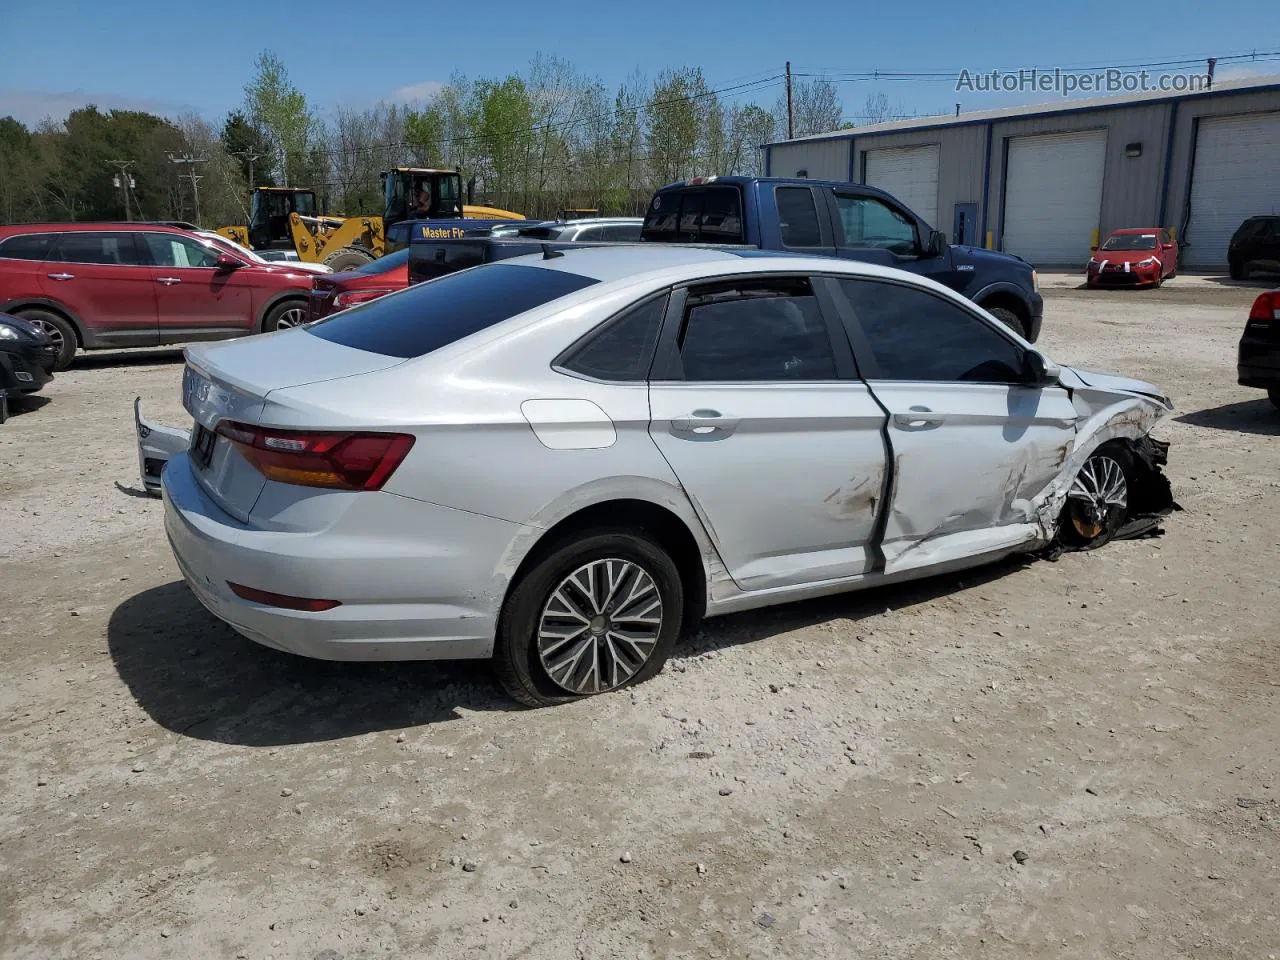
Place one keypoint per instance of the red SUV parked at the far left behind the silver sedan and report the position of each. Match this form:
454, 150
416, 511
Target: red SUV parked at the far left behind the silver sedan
102, 286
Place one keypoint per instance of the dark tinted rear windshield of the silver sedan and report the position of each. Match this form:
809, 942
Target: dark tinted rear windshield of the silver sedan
438, 313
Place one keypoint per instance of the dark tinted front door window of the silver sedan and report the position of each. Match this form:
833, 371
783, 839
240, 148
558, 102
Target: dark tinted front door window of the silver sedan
917, 336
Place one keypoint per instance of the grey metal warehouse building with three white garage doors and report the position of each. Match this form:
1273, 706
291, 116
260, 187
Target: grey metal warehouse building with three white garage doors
1041, 181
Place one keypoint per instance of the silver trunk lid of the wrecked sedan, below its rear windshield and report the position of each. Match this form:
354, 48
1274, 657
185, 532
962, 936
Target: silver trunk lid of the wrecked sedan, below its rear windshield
231, 381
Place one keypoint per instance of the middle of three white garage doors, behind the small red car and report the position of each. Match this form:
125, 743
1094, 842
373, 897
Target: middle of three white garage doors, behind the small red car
1054, 196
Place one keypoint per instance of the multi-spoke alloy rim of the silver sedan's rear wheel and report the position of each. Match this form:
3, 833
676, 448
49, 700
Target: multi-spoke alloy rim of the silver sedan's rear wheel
600, 627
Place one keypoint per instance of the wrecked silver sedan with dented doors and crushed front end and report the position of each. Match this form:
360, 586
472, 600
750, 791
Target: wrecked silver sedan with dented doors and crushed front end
563, 463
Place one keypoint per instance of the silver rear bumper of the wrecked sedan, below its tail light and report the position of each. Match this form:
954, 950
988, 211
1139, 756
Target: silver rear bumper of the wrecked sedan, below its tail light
422, 588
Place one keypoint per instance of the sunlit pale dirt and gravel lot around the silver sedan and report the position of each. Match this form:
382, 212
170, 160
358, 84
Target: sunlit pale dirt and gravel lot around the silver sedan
840, 779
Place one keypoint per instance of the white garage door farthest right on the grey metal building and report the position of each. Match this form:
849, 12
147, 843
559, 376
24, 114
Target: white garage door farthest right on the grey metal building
1237, 175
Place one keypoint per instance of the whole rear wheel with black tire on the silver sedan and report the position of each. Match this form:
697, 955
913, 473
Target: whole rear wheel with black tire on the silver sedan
552, 651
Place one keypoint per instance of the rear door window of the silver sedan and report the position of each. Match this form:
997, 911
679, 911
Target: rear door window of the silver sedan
756, 331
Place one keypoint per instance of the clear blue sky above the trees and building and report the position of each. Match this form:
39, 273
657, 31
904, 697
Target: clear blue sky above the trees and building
179, 56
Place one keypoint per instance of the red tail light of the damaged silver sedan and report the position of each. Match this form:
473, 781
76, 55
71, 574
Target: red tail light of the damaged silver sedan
341, 461
